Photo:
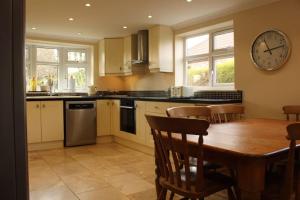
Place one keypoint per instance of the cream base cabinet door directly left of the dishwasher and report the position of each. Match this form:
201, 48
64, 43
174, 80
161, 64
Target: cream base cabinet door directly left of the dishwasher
52, 121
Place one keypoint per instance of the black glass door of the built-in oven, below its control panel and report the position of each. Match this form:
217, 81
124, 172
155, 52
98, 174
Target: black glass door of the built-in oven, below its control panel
127, 119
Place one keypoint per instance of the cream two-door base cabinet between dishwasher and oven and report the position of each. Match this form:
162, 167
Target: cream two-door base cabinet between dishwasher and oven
108, 117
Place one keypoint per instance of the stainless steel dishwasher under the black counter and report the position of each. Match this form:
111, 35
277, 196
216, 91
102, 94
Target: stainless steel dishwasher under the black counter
80, 127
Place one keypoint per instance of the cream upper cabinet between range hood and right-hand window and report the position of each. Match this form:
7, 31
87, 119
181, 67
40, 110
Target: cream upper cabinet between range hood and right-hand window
161, 49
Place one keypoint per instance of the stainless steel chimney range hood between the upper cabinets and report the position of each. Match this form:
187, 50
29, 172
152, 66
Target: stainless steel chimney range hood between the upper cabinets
142, 48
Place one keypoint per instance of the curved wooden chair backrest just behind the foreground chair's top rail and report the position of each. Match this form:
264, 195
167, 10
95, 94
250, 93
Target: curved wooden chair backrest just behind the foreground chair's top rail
198, 112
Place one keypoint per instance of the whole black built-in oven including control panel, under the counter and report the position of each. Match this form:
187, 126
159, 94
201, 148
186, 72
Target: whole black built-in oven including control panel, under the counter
127, 115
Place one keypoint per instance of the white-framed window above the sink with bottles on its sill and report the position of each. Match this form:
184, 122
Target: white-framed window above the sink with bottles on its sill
59, 63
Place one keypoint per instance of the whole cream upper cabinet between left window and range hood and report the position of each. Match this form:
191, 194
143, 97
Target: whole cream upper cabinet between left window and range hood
111, 57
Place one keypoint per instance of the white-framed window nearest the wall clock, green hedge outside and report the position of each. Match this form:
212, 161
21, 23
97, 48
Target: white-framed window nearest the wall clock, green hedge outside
209, 59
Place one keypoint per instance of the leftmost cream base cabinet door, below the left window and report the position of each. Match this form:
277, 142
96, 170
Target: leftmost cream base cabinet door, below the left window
34, 134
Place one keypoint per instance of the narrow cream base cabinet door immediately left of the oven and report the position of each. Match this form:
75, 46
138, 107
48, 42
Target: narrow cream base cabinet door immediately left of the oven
115, 117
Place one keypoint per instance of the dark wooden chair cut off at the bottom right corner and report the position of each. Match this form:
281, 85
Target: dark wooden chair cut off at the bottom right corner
282, 186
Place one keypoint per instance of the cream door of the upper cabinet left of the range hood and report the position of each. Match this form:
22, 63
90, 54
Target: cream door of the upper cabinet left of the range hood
114, 49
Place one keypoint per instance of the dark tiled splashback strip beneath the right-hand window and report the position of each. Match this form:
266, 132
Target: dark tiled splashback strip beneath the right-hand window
234, 95
